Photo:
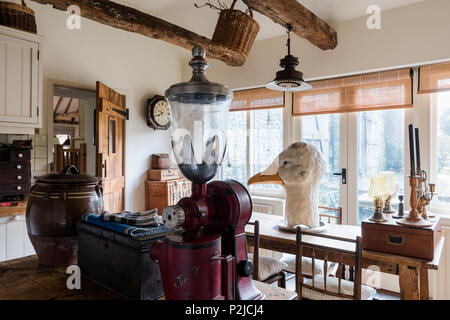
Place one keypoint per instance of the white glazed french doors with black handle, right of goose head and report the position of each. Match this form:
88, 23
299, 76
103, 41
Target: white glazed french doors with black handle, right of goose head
357, 145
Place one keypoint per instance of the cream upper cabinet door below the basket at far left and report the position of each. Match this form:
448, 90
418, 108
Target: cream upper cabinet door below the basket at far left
18, 80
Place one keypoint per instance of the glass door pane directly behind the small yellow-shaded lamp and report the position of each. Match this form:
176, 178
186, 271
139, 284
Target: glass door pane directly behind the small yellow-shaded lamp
381, 144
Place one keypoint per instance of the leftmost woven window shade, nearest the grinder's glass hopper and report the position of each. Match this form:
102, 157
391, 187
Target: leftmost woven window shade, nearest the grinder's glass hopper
256, 99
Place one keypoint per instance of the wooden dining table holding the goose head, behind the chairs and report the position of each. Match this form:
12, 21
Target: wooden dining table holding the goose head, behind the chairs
412, 272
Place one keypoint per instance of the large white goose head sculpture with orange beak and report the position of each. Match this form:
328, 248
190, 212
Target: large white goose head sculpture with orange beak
299, 169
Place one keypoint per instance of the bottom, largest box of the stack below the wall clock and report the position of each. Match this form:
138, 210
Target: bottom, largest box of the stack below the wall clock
160, 194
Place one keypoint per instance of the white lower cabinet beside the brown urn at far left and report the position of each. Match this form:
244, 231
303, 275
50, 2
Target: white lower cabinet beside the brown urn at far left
14, 240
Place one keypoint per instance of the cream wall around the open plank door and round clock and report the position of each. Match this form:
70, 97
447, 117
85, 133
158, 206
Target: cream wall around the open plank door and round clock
137, 65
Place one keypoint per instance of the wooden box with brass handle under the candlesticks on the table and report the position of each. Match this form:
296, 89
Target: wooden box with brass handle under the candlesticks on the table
390, 237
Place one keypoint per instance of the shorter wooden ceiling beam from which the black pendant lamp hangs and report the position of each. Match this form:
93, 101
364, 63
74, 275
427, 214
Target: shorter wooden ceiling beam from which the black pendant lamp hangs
305, 23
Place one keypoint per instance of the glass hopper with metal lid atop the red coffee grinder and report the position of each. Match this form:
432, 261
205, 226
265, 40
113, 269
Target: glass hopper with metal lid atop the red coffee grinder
199, 112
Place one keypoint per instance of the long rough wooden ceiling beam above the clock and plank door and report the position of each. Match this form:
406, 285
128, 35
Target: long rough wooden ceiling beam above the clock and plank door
132, 20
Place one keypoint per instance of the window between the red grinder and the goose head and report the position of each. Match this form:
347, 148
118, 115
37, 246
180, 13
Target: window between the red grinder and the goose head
264, 130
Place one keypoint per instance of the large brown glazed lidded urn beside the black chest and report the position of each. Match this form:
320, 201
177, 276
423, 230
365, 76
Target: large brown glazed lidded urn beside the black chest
56, 203
